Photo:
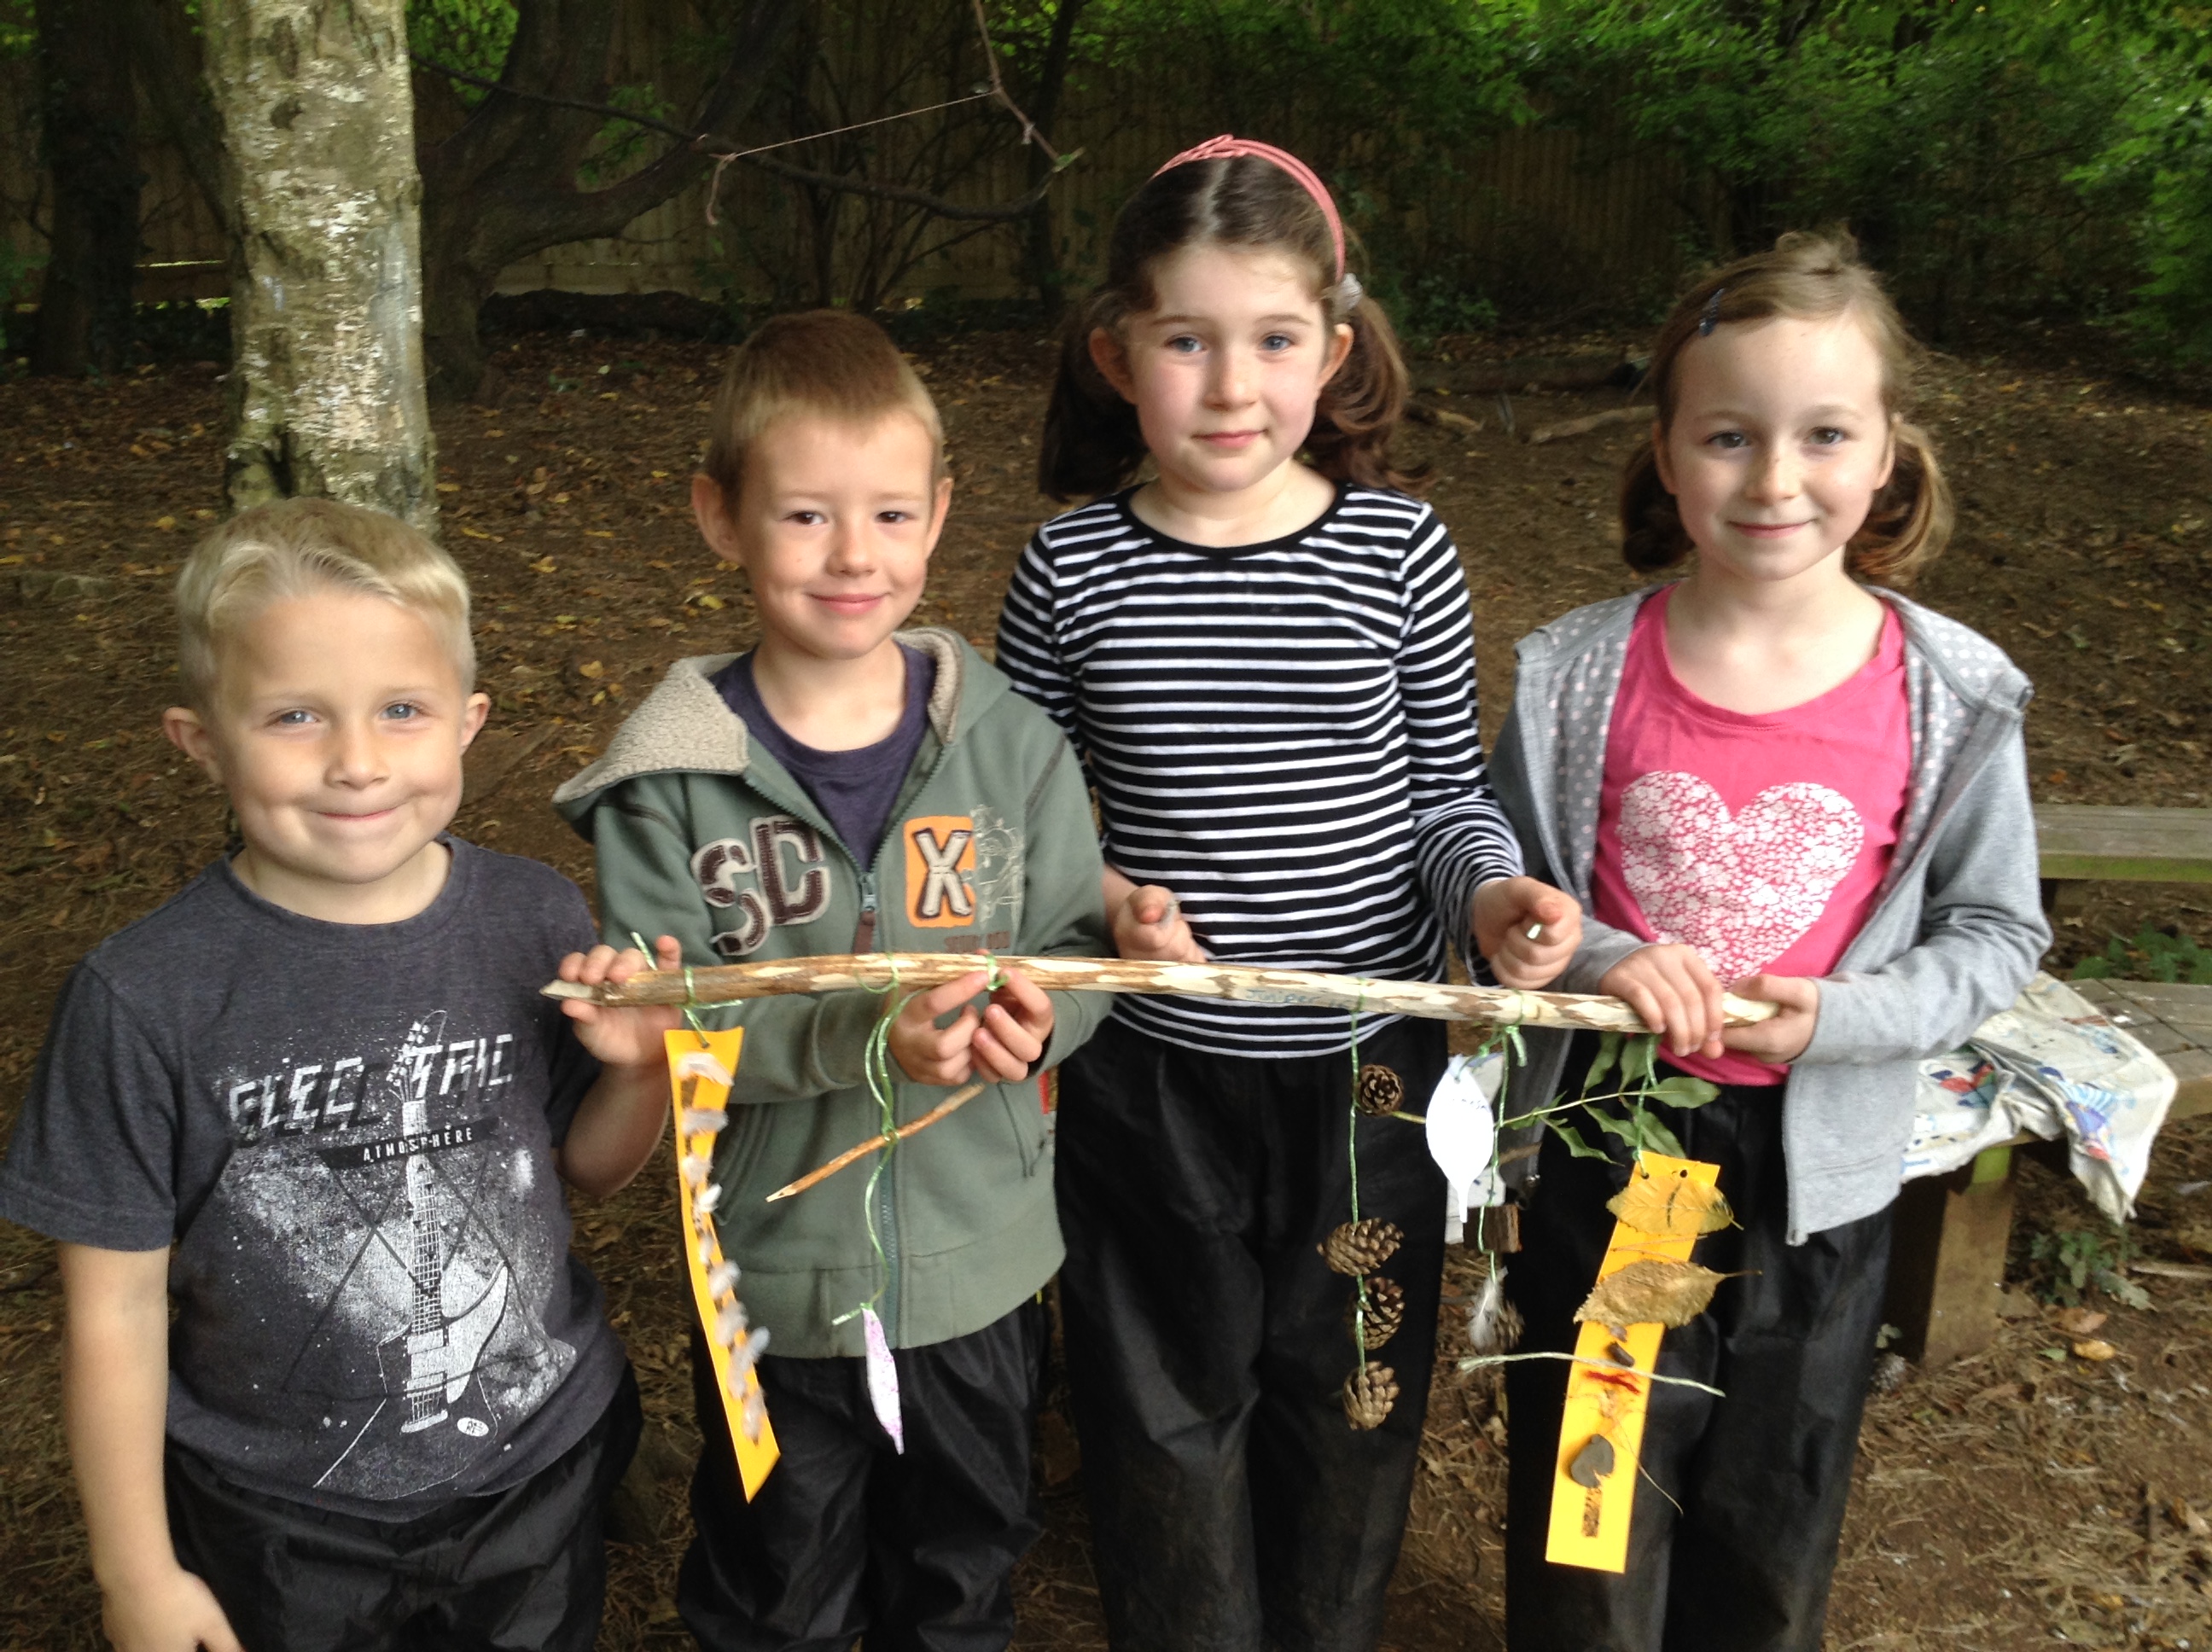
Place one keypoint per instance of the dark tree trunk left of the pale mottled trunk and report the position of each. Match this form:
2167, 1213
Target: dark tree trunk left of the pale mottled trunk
90, 118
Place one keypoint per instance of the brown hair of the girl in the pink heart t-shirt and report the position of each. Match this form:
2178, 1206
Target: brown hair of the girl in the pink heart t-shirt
1806, 278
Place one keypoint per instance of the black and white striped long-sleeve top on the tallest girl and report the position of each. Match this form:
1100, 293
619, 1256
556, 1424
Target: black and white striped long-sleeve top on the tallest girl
1282, 733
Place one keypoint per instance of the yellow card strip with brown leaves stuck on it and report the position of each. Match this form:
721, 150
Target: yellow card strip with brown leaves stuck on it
1589, 1525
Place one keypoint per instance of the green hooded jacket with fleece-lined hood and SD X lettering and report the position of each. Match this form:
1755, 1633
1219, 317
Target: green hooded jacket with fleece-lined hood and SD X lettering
990, 848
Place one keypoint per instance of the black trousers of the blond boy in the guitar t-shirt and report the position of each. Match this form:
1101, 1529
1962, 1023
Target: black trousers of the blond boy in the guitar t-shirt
519, 1571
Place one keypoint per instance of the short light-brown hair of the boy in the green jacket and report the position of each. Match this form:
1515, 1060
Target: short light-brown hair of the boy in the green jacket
828, 364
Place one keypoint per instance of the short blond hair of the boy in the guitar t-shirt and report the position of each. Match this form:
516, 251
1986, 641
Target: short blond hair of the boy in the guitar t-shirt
300, 547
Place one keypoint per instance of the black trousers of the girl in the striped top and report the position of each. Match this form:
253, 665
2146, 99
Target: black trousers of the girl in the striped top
1231, 1501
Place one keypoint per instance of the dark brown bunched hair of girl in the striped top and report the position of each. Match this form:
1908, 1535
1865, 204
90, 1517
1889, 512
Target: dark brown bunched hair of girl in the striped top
1092, 441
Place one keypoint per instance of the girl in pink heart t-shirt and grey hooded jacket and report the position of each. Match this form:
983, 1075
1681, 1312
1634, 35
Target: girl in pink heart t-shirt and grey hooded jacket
1775, 780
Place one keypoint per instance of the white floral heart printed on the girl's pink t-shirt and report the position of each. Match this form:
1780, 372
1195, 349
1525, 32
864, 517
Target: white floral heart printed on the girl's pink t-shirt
1740, 890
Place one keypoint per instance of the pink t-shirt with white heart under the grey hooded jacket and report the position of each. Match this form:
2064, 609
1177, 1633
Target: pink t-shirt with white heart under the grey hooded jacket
1762, 841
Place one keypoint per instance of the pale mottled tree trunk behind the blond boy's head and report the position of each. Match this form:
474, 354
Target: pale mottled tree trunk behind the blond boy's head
326, 293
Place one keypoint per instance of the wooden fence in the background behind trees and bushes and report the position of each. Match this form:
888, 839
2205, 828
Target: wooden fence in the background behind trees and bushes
1550, 216
